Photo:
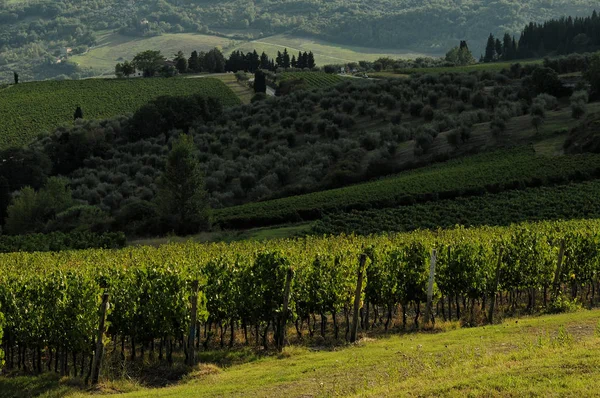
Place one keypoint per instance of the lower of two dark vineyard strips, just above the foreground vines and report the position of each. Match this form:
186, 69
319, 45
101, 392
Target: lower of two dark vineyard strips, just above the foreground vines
566, 202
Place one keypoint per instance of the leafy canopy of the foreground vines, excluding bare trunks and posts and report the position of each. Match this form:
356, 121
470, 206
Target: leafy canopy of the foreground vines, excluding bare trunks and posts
58, 293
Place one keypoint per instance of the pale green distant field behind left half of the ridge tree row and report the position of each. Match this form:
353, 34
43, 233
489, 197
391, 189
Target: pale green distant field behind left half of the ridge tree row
113, 48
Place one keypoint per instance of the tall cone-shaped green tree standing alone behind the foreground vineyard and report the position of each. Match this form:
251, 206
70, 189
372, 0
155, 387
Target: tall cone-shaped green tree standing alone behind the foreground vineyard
181, 197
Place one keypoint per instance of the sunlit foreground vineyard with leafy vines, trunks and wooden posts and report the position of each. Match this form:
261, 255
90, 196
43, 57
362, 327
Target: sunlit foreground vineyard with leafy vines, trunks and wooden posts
182, 297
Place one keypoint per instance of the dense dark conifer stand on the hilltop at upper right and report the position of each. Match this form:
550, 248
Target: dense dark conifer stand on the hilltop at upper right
554, 37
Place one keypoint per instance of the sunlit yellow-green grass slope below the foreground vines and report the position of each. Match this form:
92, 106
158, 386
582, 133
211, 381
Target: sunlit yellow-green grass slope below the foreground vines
550, 355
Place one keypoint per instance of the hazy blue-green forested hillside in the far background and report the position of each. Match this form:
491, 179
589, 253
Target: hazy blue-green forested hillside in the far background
40, 29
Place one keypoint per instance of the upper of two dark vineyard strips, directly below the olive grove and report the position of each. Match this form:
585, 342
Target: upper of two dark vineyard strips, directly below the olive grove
475, 175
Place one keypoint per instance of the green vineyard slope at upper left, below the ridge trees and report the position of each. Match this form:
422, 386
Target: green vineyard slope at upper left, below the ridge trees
31, 108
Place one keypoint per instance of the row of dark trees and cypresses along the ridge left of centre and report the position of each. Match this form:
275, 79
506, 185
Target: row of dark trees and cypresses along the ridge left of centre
152, 62
